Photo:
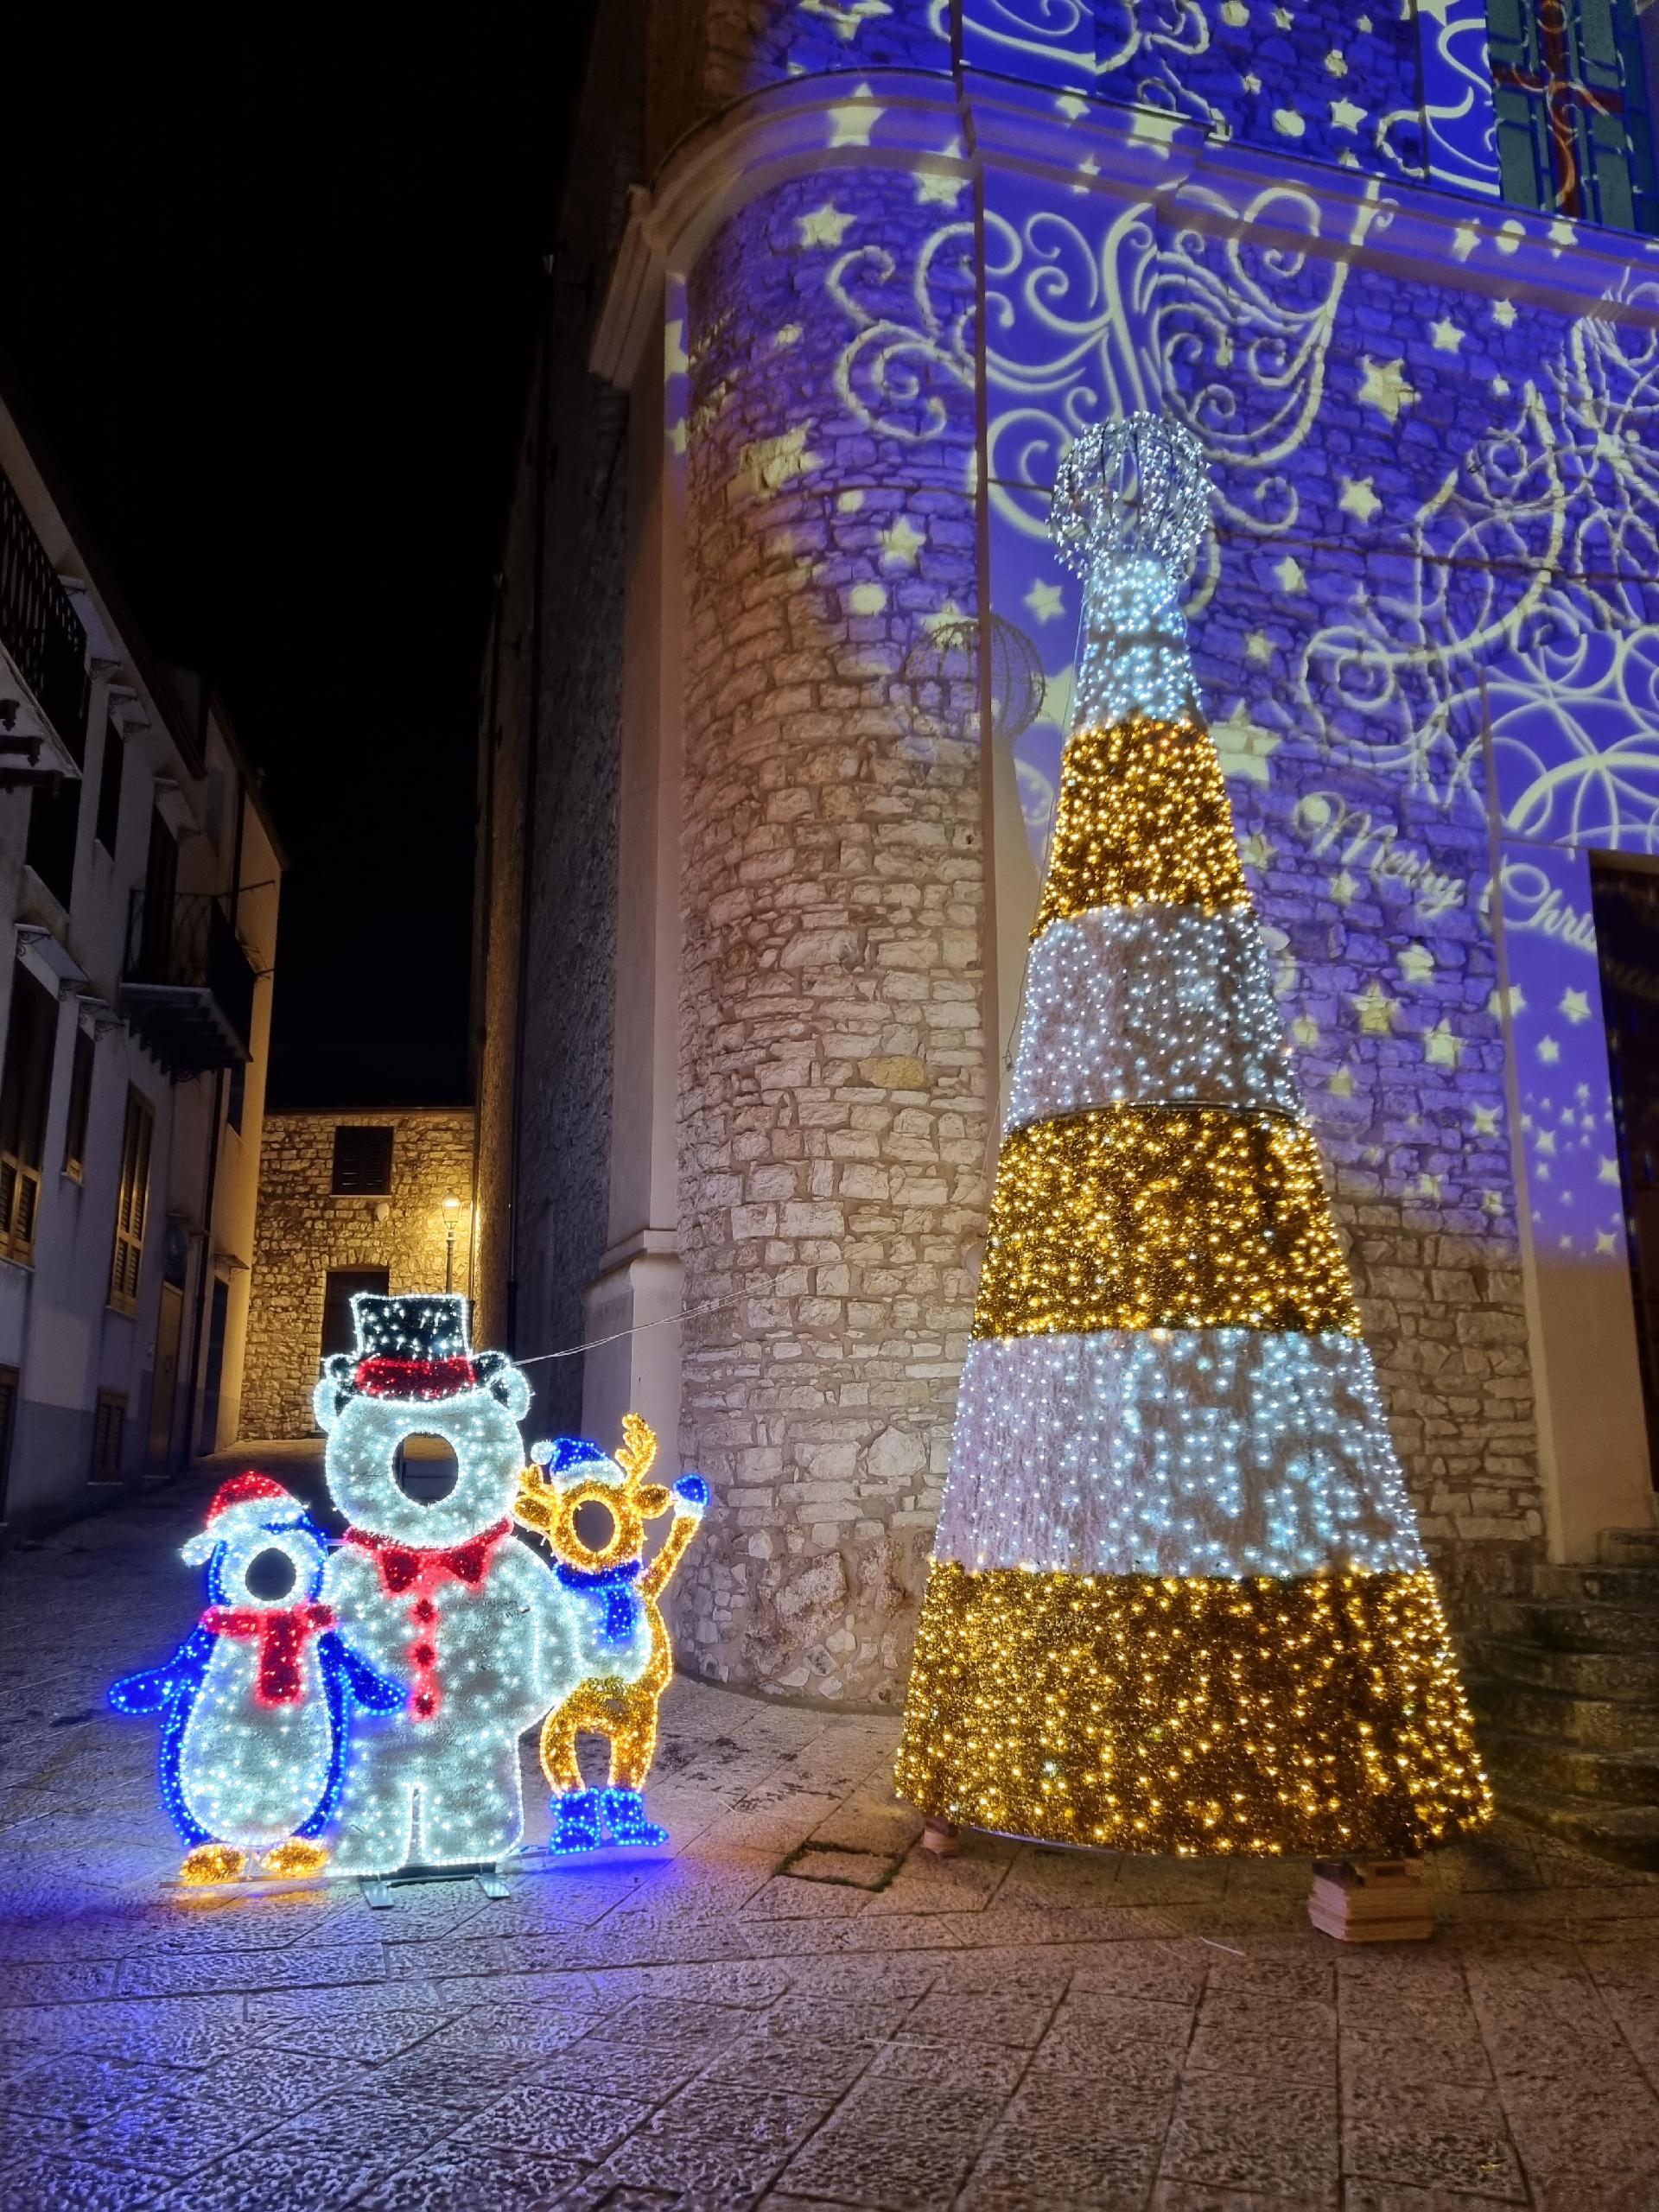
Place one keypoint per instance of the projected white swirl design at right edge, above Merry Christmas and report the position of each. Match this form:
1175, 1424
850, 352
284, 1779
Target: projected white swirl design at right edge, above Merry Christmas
1523, 572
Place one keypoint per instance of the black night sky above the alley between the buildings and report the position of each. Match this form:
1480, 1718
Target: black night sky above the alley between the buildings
278, 326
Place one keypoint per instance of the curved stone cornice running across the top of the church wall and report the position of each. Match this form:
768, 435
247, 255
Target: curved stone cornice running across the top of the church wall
983, 125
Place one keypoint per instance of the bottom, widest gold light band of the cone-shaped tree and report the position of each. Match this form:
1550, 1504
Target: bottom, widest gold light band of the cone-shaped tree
1315, 1715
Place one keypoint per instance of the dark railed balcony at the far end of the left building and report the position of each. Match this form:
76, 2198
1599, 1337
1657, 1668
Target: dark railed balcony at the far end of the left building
187, 983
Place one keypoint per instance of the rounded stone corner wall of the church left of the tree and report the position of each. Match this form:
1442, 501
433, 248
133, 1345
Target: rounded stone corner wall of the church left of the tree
833, 979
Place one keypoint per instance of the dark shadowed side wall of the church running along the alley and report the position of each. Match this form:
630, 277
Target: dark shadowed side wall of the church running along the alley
550, 755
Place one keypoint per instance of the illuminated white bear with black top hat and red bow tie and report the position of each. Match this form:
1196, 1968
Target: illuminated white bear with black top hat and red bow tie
437, 1589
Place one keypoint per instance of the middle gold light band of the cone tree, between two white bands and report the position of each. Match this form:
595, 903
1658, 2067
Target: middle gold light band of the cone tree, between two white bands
1136, 1218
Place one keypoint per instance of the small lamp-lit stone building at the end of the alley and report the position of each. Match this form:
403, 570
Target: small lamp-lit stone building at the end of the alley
348, 1202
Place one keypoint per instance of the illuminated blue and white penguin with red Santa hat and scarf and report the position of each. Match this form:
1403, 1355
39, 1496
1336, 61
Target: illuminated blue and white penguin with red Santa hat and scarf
258, 1698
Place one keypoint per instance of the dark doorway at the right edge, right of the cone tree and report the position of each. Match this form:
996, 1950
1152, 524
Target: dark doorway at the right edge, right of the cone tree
1627, 943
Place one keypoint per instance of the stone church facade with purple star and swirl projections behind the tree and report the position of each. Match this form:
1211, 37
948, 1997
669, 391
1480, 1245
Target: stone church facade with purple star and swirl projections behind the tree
782, 674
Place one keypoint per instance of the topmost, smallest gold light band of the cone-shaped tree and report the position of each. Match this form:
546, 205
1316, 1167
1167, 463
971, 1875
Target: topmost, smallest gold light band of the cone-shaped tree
1142, 815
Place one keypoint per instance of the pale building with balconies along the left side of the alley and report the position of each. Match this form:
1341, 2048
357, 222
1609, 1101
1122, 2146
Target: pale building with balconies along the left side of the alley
140, 886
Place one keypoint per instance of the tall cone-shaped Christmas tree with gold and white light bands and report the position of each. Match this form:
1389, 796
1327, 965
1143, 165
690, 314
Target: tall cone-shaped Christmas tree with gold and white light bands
1178, 1596
